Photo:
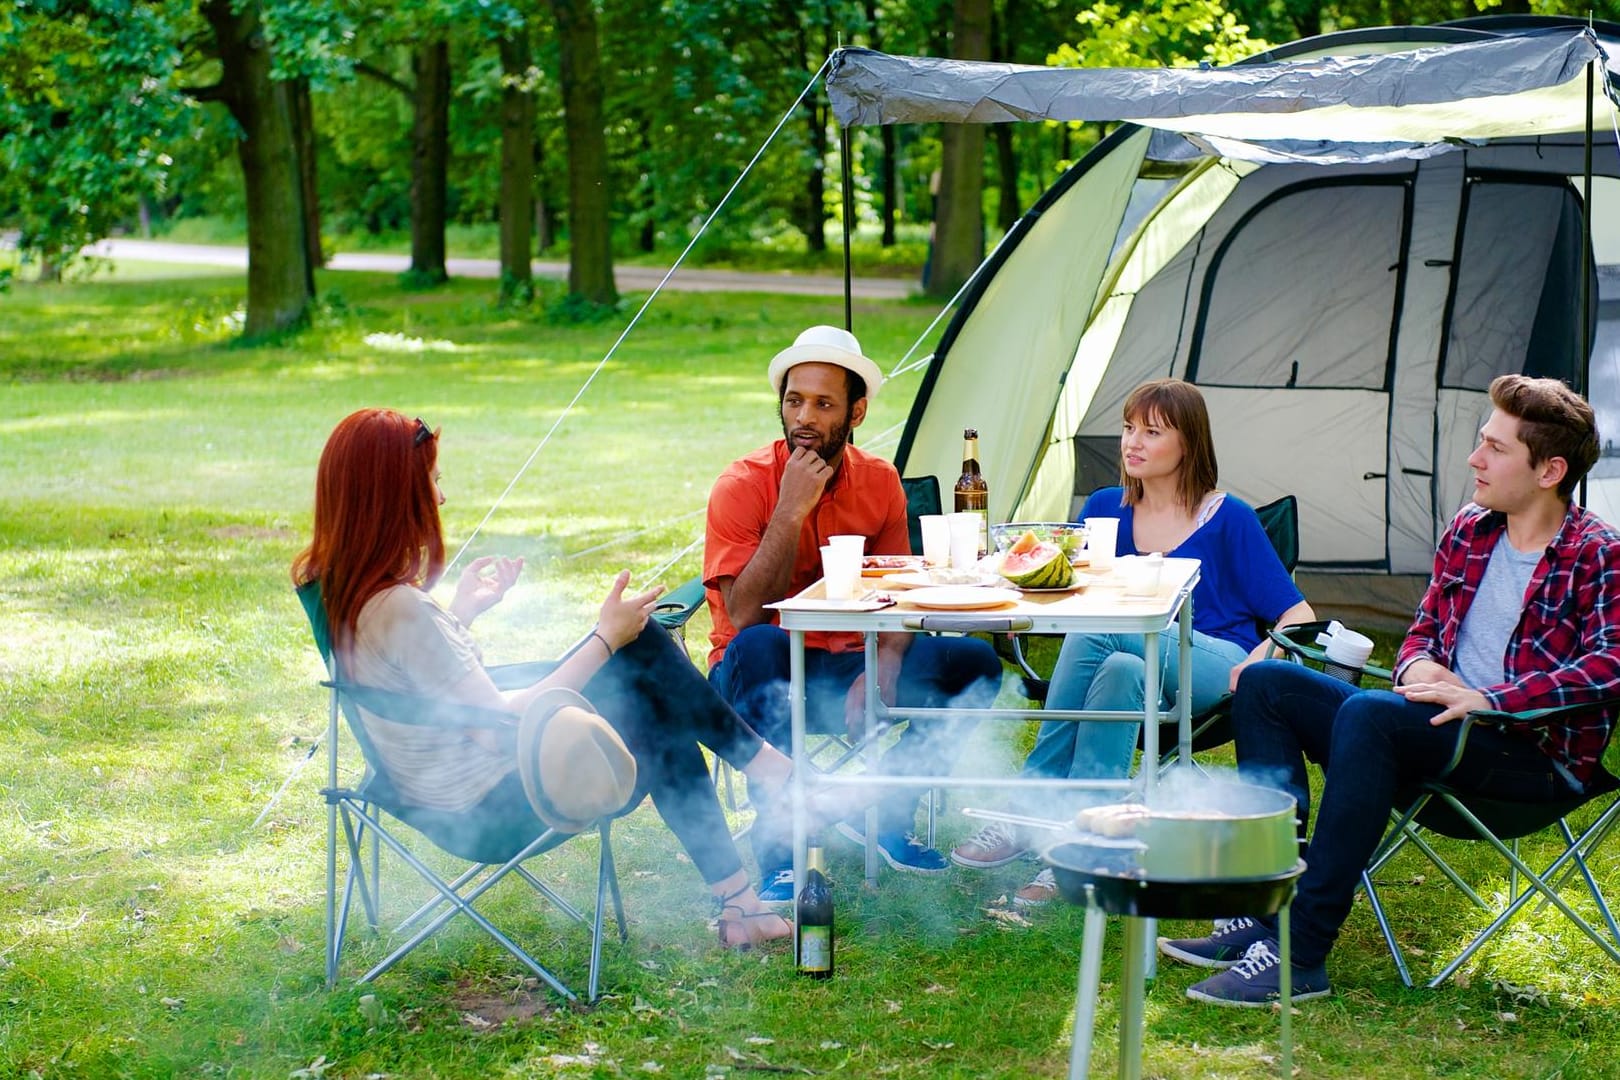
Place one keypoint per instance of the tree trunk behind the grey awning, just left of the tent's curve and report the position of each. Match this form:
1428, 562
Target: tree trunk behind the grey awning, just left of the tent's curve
960, 216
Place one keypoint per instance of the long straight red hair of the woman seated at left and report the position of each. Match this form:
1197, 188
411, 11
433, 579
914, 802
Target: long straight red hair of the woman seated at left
377, 516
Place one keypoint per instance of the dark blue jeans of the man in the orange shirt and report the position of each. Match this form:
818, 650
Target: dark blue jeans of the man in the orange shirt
937, 673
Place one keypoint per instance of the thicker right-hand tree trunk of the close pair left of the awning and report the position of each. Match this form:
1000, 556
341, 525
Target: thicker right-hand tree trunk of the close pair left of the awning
590, 229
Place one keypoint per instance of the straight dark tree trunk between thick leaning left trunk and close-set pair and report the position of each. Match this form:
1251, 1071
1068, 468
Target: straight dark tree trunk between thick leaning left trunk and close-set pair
430, 163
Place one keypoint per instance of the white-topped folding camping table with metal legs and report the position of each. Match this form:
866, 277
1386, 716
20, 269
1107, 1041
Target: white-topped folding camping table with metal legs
1101, 608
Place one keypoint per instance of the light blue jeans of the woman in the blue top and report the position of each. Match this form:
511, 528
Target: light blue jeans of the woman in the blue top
1107, 671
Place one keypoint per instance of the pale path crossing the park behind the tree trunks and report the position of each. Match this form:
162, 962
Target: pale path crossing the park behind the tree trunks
631, 279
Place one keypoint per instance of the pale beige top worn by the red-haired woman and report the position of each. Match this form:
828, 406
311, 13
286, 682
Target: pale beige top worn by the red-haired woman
404, 642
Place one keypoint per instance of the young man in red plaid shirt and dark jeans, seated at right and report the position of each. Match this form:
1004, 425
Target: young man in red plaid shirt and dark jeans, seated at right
1522, 613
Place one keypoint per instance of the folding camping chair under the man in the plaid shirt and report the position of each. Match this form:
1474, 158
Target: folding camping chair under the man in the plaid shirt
1439, 810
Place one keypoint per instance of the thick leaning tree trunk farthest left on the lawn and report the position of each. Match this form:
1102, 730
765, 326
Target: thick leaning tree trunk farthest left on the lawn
278, 257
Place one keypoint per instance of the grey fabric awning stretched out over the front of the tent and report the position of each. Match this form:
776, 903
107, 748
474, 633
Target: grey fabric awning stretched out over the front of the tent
1473, 91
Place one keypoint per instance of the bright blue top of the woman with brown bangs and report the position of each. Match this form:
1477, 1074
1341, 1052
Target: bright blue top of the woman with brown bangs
1243, 584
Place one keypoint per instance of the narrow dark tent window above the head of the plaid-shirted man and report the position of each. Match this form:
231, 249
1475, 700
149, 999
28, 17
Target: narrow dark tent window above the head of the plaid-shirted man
1517, 296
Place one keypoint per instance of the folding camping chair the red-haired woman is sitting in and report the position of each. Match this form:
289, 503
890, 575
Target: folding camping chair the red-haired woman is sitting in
373, 812
